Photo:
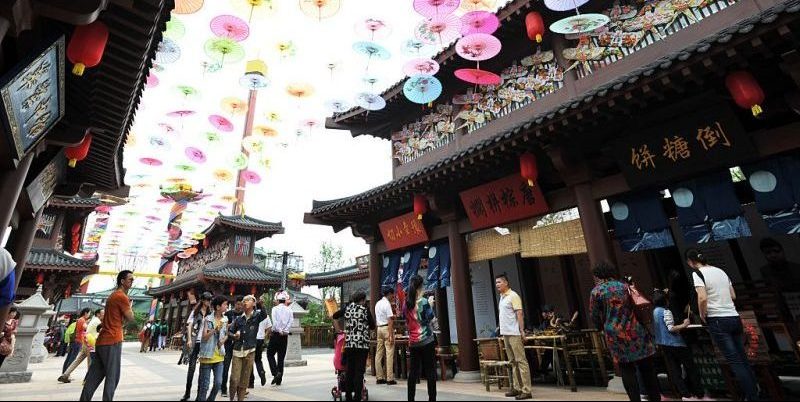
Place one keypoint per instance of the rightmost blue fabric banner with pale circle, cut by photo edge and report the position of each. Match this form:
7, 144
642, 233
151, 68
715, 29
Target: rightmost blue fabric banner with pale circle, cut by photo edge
776, 188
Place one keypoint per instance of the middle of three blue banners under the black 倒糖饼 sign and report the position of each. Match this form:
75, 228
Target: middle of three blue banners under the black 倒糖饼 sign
708, 209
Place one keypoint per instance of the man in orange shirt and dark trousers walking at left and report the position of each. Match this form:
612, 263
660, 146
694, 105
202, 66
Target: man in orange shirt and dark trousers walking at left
108, 349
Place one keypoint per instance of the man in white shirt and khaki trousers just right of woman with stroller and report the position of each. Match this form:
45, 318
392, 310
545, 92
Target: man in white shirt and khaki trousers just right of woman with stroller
384, 356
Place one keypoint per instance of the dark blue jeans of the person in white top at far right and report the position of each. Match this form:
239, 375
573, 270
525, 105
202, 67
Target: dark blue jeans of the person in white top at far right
728, 336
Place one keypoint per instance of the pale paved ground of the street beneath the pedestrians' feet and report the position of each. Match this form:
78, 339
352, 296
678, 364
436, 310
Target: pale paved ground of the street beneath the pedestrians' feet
155, 376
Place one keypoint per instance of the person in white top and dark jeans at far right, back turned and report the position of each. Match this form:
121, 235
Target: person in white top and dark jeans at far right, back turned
715, 296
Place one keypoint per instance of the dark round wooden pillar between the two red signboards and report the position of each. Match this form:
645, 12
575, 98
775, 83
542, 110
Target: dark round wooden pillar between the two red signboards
465, 314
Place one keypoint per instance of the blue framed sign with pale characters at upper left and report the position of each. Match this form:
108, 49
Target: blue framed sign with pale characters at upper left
32, 98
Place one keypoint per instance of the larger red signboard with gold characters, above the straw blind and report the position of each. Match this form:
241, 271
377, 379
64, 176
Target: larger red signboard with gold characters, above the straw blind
502, 201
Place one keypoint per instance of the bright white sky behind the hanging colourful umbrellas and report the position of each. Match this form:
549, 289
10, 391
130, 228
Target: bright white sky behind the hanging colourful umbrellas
300, 163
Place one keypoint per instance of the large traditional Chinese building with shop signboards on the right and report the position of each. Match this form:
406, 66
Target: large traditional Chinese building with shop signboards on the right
629, 135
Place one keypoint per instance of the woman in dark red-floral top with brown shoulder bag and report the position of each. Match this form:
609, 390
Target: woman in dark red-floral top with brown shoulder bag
628, 341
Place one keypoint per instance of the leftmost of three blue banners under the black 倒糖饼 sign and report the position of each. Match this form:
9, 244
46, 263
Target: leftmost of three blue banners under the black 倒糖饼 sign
640, 222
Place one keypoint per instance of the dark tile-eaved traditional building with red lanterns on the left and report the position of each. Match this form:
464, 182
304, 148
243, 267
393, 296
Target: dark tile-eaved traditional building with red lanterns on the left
52, 105
